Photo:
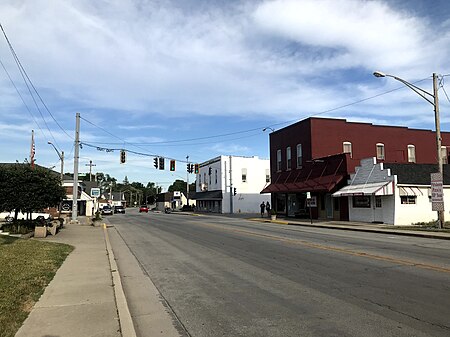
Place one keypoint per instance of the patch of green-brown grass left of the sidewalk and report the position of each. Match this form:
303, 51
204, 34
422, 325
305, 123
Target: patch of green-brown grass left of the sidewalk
26, 268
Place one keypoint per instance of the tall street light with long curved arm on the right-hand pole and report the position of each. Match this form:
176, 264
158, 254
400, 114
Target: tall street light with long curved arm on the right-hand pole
433, 100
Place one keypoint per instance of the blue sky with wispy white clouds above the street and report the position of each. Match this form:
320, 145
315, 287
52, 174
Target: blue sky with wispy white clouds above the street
203, 78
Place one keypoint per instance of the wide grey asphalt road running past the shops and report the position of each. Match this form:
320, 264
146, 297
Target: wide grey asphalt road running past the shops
231, 277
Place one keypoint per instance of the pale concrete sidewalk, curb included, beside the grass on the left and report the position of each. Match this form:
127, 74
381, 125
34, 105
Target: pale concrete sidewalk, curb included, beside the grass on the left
81, 300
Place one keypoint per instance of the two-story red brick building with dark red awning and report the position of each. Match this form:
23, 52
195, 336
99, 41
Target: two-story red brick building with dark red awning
317, 155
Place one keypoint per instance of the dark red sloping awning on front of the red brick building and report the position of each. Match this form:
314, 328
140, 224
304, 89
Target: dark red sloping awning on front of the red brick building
320, 184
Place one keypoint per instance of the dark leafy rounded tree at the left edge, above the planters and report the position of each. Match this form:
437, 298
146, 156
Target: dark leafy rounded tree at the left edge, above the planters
26, 190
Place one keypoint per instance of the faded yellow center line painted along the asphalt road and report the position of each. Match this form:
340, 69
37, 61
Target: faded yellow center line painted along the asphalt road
335, 249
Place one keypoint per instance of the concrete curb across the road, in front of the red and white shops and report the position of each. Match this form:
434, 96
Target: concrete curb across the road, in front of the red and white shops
360, 229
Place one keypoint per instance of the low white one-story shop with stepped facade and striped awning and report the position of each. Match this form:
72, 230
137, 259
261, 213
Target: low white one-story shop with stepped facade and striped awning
391, 193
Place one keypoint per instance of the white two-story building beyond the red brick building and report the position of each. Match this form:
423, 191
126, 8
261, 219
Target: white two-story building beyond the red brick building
232, 184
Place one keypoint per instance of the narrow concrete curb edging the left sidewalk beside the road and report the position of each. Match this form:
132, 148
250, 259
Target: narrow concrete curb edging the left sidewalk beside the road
125, 320
